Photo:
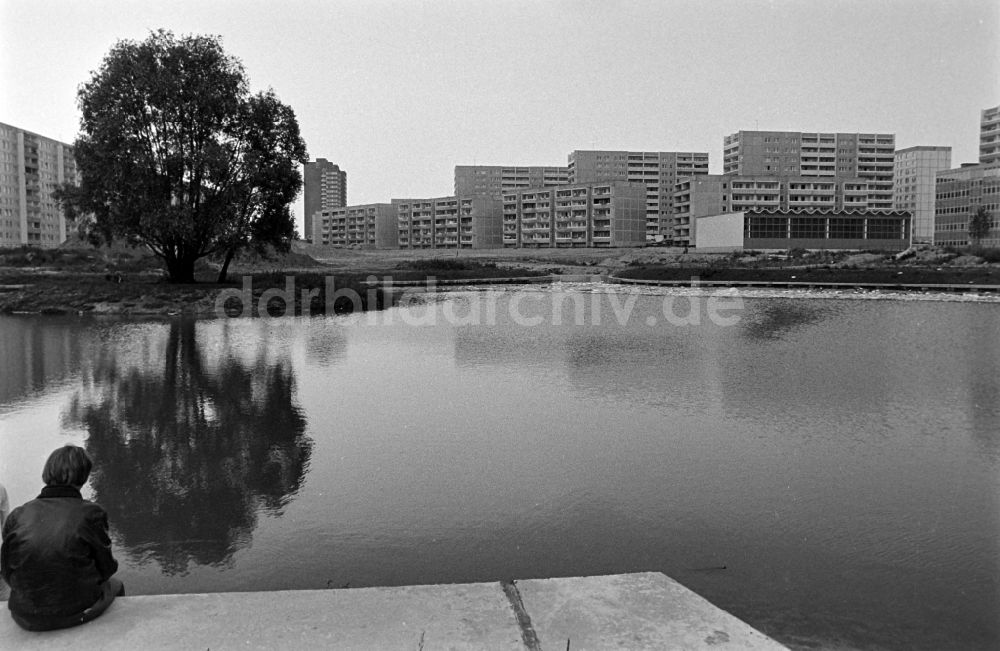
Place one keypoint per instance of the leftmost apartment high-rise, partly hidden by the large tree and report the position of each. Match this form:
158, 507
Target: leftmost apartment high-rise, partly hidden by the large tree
31, 168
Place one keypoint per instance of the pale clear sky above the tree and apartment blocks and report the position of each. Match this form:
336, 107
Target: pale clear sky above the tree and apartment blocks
399, 92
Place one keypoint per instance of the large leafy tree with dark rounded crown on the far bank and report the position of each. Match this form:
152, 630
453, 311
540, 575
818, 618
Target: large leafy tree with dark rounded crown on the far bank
177, 154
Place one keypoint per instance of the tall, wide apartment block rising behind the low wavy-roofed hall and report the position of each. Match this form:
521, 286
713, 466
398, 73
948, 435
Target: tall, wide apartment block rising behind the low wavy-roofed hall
868, 156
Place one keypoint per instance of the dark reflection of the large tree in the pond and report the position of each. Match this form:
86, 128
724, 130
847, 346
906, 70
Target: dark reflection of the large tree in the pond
186, 455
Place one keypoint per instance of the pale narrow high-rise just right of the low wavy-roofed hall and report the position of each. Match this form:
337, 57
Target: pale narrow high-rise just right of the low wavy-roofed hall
915, 180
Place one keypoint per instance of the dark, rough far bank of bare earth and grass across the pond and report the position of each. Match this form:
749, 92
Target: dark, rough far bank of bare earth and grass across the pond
130, 282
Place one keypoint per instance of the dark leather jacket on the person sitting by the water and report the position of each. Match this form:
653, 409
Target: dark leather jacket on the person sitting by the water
56, 554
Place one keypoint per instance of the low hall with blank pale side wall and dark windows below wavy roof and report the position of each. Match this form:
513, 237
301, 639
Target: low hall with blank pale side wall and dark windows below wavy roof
779, 229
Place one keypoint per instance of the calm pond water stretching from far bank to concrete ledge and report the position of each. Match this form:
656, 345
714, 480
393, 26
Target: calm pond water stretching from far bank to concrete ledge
826, 469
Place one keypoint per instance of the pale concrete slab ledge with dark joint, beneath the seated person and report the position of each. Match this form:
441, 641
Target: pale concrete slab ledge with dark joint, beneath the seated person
634, 611
